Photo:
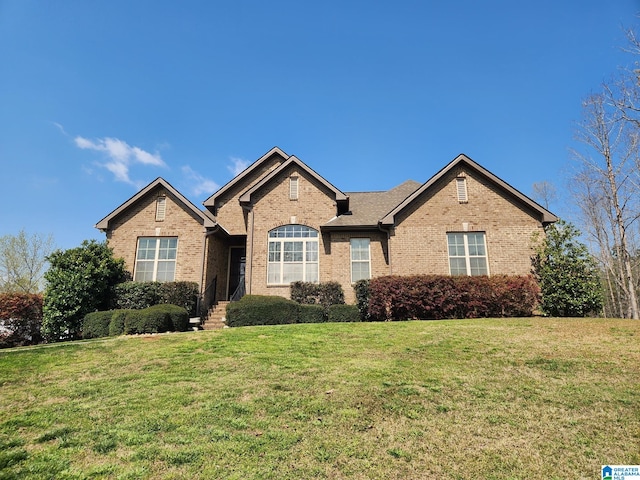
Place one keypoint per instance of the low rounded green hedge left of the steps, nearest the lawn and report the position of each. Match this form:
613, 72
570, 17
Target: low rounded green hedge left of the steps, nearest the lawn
156, 319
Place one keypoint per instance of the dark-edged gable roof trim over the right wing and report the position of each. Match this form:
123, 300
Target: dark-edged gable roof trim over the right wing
462, 160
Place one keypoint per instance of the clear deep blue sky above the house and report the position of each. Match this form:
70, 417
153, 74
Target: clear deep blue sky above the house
98, 98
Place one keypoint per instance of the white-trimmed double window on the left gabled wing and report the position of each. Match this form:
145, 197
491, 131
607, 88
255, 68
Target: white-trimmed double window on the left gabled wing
156, 259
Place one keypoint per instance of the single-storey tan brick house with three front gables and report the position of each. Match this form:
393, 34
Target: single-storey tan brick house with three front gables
279, 221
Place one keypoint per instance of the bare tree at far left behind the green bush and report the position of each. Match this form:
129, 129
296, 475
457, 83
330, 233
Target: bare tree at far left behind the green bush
22, 261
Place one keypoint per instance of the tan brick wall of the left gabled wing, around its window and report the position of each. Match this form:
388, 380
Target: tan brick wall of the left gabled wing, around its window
140, 221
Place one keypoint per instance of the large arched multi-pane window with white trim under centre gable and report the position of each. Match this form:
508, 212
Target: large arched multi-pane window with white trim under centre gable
292, 255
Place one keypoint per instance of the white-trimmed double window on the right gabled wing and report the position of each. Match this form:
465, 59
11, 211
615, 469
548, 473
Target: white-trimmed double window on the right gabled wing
467, 253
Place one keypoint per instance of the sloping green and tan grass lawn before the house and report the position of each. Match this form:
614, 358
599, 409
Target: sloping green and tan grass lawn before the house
490, 399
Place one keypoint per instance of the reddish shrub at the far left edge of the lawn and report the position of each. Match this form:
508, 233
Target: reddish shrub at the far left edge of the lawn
20, 319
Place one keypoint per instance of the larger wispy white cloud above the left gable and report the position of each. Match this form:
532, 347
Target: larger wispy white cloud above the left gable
120, 156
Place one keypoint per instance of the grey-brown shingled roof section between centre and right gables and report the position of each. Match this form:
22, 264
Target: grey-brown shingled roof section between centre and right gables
367, 208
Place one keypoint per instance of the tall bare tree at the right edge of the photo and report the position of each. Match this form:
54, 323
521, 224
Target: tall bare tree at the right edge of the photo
606, 186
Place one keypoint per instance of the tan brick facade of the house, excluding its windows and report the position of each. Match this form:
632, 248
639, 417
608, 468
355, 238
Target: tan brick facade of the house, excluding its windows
412, 239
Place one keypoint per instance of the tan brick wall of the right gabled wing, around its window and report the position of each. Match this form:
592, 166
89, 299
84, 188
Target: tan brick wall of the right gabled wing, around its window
419, 242
